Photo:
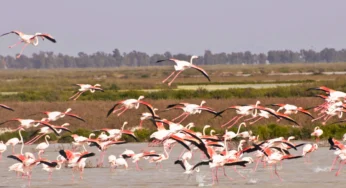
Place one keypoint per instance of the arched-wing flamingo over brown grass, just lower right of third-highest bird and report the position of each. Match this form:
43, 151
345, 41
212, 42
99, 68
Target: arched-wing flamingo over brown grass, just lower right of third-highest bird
130, 104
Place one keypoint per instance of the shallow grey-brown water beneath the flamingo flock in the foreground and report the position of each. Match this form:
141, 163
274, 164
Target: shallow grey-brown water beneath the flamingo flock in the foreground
295, 173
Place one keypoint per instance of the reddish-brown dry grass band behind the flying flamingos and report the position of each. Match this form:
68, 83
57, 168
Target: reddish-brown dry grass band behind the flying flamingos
94, 112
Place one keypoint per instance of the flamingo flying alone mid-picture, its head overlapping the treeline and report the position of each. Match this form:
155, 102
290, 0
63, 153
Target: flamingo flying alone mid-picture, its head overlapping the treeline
180, 66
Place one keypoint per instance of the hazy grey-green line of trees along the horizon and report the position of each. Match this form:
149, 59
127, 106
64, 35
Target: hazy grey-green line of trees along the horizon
49, 60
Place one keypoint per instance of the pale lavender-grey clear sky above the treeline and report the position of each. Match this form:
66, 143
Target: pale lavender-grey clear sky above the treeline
178, 26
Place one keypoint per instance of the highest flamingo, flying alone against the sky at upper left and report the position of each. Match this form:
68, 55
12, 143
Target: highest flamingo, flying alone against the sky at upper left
29, 39
